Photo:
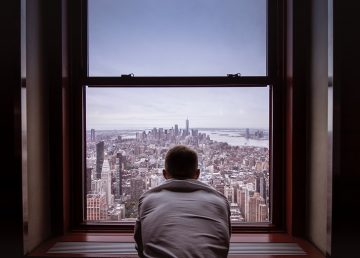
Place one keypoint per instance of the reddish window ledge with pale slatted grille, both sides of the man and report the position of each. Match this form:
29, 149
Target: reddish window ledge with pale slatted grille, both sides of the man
122, 245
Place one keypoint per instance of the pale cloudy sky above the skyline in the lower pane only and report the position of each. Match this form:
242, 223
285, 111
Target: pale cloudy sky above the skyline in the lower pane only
139, 108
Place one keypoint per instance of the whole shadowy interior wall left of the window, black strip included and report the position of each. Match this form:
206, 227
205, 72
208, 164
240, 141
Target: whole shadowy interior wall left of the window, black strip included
31, 91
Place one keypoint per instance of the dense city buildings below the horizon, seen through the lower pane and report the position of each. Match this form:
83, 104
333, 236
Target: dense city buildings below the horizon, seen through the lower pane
120, 169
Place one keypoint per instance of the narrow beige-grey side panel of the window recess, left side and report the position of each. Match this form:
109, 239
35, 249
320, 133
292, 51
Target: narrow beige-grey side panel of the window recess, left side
37, 103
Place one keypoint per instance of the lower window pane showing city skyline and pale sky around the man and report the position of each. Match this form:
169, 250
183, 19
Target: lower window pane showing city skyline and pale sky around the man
129, 130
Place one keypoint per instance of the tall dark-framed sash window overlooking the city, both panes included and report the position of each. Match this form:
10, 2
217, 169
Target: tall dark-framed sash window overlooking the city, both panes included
160, 73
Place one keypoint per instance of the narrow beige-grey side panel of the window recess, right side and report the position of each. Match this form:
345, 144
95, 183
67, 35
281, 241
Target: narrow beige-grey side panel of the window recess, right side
317, 184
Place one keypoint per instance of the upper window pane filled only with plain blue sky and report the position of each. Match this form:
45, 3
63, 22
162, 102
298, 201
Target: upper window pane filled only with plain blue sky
177, 37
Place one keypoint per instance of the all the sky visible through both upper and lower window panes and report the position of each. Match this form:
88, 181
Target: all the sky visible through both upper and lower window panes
177, 38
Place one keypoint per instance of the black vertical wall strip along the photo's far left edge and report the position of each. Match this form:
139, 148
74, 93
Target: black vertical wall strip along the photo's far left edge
10, 130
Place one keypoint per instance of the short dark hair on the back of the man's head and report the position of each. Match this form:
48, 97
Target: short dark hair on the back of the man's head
181, 162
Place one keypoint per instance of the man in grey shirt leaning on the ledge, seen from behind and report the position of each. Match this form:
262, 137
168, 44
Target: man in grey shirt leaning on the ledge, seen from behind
182, 217
